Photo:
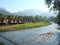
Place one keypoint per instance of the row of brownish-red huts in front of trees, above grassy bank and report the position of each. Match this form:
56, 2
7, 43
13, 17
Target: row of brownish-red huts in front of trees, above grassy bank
14, 21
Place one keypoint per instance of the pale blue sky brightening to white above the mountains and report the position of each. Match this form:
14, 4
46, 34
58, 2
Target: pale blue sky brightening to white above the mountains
19, 5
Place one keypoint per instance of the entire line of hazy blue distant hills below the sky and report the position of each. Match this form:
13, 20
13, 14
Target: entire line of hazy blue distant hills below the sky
29, 12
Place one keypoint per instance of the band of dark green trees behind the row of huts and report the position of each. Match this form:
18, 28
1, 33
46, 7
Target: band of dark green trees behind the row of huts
36, 18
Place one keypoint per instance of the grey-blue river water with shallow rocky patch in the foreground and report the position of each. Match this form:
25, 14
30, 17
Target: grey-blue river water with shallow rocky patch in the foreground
47, 35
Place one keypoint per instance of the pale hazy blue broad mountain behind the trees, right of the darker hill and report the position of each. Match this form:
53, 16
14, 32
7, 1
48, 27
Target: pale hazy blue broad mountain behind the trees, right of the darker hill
33, 12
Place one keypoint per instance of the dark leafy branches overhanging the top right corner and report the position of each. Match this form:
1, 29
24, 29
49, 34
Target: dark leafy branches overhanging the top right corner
56, 4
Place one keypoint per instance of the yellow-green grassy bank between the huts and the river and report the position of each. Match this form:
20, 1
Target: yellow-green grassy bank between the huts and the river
23, 26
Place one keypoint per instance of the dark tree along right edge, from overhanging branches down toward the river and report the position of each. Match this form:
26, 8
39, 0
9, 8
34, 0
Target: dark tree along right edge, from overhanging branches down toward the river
55, 6
